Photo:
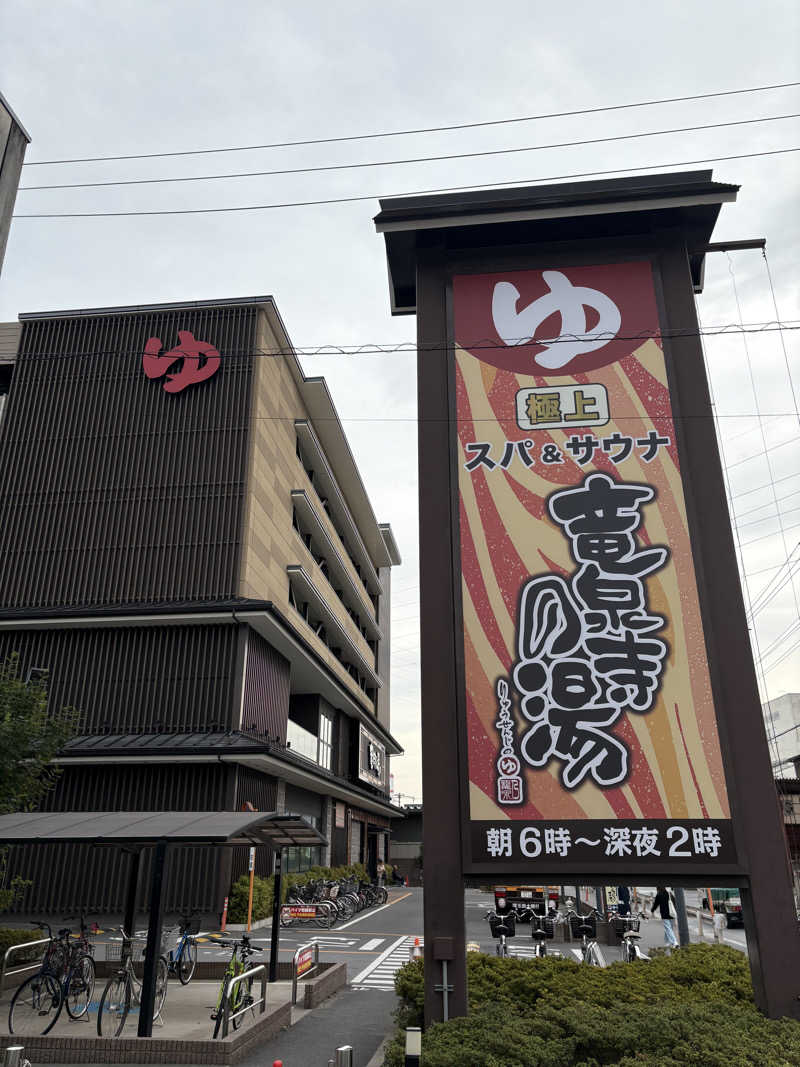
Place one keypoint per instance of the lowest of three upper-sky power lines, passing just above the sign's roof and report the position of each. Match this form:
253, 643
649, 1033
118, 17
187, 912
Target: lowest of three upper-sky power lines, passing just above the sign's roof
419, 193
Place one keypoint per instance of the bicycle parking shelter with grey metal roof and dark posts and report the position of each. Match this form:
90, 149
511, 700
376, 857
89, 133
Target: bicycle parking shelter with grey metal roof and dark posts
135, 832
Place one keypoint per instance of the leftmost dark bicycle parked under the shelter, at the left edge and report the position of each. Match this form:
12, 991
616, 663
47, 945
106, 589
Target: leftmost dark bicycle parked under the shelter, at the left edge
67, 977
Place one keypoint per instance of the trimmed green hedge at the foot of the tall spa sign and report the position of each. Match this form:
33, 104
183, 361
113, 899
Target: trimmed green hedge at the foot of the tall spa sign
695, 1007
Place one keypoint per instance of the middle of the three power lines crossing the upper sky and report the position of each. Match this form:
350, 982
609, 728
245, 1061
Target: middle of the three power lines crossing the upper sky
419, 160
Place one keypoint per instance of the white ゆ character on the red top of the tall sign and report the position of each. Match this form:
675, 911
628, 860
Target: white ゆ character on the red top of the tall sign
570, 301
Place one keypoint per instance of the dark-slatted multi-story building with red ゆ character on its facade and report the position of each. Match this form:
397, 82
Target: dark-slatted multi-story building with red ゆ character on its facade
191, 558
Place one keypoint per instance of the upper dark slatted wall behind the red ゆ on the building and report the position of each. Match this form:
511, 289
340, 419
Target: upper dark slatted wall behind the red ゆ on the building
114, 491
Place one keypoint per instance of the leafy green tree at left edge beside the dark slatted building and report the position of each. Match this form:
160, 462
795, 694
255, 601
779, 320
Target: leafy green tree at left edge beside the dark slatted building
31, 735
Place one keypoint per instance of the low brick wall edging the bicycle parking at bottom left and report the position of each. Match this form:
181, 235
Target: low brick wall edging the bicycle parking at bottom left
154, 1050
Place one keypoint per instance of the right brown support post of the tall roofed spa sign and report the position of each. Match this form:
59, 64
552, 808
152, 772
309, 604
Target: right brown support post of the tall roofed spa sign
767, 902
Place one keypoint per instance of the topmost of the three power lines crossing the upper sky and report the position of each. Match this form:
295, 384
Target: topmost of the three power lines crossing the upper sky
427, 130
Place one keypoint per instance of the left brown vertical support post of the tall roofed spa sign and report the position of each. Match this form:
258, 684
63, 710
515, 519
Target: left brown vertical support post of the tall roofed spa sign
443, 756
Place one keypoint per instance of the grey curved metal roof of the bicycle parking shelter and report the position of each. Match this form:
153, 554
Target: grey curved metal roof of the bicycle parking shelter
149, 827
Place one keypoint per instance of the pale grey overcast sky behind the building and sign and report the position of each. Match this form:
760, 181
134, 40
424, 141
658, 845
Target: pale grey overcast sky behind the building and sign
138, 76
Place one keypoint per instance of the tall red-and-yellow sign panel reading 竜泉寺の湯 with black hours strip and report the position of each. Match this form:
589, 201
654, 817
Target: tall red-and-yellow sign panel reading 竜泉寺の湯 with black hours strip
591, 729
